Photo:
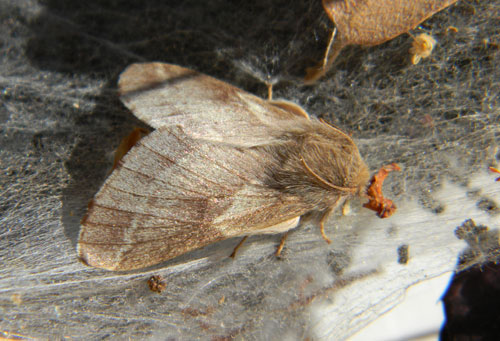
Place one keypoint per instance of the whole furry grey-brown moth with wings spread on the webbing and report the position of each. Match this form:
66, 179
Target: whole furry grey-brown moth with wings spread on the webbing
221, 163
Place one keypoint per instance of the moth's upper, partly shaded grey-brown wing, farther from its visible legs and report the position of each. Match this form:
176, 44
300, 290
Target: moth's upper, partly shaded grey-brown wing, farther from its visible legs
165, 95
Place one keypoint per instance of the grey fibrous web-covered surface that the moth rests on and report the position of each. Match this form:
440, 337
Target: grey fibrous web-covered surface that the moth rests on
60, 121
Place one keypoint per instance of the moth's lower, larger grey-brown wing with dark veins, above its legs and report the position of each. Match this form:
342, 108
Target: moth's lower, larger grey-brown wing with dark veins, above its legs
171, 194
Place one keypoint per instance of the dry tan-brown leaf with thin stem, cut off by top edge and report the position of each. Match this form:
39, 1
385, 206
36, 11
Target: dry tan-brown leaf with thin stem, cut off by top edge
371, 22
